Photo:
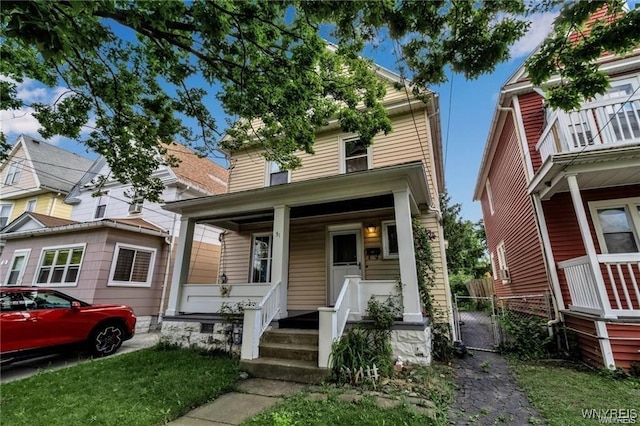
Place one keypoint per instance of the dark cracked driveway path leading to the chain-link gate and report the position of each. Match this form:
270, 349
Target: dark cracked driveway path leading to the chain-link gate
488, 394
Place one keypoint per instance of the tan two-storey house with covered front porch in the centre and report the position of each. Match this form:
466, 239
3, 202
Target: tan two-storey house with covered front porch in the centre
319, 241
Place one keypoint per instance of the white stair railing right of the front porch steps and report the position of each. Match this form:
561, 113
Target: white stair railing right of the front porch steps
350, 304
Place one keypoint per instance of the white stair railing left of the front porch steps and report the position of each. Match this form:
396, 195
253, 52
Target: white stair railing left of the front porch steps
256, 320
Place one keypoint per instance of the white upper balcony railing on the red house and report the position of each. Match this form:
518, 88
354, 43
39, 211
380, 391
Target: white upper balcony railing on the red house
606, 122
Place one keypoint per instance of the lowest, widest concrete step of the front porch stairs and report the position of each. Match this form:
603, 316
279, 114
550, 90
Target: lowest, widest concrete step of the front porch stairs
285, 369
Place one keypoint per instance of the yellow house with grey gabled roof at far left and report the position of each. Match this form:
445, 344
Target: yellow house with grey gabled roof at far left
36, 177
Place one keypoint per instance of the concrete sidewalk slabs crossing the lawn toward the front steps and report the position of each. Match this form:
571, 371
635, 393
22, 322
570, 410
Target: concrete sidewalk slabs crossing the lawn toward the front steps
253, 396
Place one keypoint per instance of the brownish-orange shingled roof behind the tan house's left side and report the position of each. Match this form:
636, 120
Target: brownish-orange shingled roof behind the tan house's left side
197, 171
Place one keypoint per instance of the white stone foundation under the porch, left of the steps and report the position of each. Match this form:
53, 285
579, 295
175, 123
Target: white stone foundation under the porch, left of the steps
209, 336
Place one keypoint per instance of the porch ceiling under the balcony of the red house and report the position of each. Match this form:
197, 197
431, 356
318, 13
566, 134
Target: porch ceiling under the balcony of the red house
601, 168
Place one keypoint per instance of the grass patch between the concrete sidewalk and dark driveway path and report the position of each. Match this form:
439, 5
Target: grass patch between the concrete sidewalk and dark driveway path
434, 383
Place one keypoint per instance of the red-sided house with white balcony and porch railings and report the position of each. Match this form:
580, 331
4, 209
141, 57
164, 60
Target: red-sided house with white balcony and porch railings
560, 195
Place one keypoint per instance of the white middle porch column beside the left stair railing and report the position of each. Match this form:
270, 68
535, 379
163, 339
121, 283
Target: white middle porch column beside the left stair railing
280, 255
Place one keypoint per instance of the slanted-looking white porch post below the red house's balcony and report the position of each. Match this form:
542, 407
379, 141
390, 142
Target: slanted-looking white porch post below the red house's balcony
589, 246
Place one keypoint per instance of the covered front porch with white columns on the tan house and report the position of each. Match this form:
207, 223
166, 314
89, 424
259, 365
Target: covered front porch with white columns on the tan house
324, 245
